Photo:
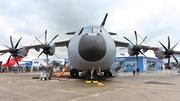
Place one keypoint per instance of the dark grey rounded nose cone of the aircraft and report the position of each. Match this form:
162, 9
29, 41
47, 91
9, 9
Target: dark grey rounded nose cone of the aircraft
92, 48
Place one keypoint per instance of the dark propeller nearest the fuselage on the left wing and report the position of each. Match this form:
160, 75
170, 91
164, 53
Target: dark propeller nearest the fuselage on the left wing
46, 46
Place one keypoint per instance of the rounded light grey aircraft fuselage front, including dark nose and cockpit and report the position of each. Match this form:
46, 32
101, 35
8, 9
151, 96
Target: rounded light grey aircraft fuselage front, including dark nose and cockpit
91, 46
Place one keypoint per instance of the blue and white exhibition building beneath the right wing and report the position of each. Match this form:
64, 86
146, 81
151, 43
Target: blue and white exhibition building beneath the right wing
144, 63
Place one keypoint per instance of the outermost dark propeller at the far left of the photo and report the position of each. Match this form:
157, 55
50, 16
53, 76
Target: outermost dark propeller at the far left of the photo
13, 50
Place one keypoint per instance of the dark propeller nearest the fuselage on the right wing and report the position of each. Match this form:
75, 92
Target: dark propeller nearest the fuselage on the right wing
136, 47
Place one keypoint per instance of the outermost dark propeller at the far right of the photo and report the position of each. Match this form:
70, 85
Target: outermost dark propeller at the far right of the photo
169, 51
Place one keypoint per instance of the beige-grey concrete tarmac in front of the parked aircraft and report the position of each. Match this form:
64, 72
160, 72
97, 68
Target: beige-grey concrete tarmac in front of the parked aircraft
161, 85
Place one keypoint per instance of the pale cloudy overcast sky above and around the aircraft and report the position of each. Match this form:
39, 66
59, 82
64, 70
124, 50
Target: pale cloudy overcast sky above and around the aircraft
156, 19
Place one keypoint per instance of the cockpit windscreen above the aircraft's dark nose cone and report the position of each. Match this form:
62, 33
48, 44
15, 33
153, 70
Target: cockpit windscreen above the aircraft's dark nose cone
92, 30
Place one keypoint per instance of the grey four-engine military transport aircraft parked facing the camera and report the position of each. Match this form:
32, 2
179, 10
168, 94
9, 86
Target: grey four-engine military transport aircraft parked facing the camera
91, 49
